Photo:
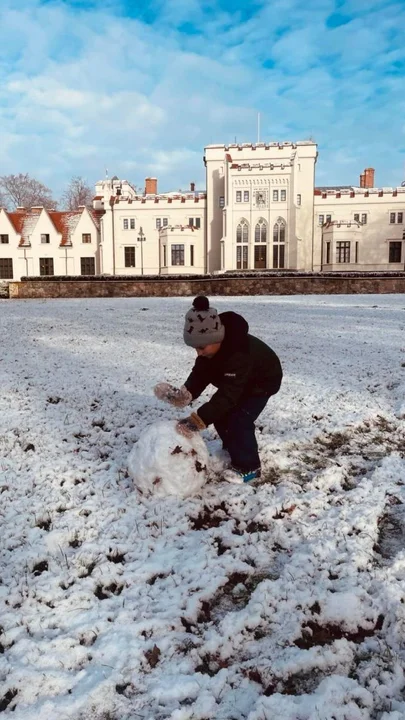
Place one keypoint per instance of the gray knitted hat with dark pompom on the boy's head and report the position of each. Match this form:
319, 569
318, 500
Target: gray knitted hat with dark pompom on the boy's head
203, 325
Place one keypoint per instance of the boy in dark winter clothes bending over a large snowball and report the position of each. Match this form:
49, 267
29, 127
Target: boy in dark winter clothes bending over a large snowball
246, 372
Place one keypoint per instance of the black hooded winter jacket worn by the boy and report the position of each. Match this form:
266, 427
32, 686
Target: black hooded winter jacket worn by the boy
243, 366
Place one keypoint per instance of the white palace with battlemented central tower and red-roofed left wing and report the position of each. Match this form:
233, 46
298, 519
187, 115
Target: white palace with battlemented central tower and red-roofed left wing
261, 210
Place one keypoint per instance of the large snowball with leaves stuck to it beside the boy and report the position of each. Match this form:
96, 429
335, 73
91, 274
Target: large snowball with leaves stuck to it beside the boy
165, 463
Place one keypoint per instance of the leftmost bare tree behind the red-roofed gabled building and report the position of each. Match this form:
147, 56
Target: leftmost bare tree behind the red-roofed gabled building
24, 191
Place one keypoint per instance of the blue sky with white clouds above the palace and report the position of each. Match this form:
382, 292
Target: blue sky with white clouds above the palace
140, 87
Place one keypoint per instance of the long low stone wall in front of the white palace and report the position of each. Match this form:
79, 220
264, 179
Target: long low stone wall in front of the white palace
300, 285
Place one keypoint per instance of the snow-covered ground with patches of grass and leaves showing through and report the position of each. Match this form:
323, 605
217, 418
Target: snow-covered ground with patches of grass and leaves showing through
284, 602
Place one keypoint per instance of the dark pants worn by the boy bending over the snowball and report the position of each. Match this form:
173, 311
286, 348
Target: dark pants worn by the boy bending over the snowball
237, 432
